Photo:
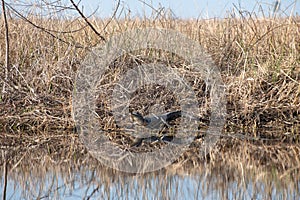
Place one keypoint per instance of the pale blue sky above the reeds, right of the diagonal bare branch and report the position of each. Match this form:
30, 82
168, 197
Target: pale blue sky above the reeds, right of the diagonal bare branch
189, 8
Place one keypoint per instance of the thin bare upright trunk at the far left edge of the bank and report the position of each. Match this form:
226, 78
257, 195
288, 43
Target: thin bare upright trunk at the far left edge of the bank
6, 48
